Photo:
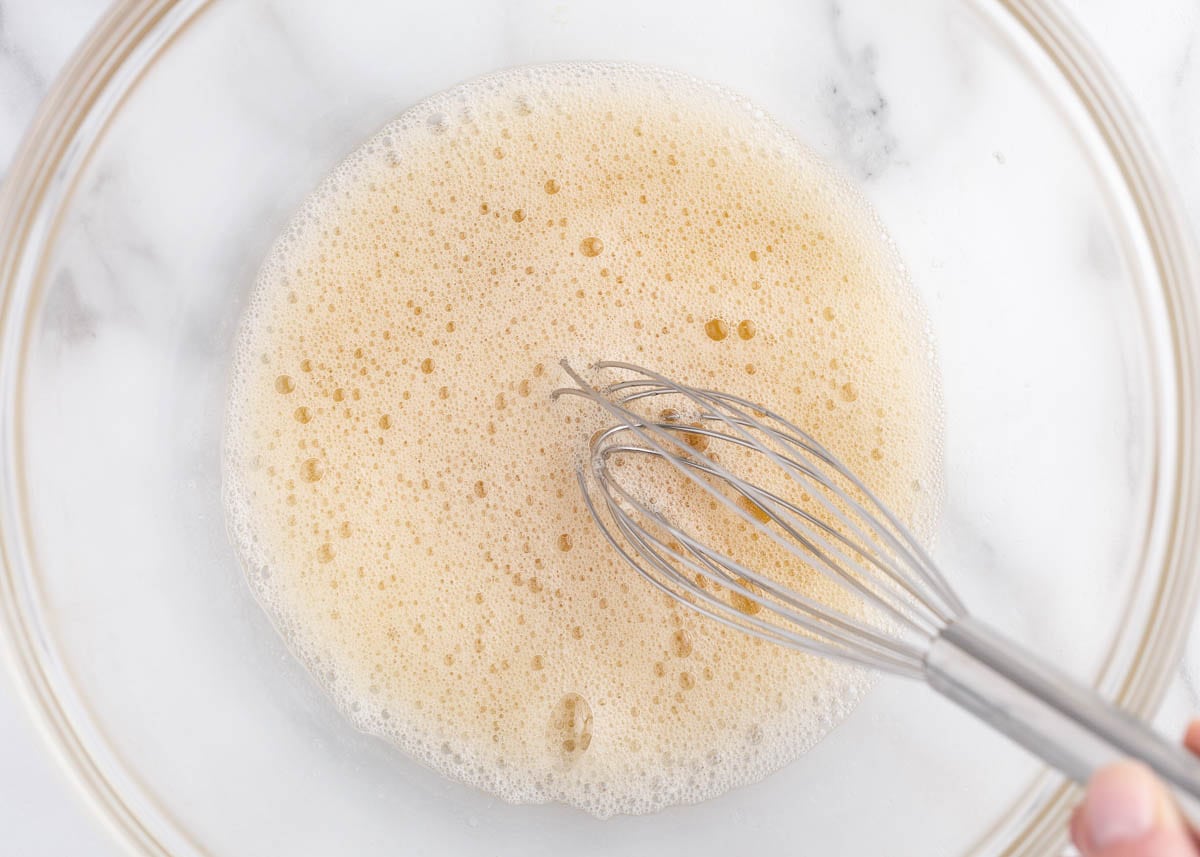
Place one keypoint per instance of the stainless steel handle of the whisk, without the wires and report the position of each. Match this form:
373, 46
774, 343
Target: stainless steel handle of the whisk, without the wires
1065, 723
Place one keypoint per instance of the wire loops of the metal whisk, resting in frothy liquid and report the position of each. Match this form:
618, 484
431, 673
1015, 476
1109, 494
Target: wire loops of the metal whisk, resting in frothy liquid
866, 550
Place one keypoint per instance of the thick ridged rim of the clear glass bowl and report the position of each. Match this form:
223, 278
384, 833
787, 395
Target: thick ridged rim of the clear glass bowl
124, 46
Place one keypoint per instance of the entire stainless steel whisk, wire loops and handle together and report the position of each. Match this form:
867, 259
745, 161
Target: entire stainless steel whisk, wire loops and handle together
907, 619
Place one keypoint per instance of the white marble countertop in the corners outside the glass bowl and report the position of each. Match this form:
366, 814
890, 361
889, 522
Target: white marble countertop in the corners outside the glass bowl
1154, 46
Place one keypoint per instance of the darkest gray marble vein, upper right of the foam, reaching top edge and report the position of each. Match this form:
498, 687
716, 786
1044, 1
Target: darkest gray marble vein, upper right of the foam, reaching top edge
857, 106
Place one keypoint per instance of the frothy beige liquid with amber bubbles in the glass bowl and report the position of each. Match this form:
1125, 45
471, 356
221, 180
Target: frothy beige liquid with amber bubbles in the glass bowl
403, 488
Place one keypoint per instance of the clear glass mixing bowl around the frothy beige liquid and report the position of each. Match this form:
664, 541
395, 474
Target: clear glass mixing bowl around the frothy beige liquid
1006, 167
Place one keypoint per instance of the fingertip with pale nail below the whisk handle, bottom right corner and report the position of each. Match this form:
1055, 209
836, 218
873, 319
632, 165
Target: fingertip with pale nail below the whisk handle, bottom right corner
1129, 813
